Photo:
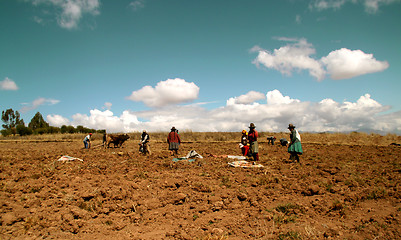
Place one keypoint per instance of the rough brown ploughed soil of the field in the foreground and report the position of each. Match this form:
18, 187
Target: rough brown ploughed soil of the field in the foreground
337, 192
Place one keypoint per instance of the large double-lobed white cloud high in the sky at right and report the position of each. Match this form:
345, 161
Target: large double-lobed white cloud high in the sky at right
338, 64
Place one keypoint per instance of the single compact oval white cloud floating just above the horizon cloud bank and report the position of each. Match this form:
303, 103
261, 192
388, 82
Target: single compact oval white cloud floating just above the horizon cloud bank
171, 91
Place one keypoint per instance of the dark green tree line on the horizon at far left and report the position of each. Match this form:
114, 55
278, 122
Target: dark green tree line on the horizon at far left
15, 125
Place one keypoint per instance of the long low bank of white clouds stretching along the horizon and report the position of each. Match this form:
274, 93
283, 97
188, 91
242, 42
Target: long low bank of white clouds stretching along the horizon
274, 115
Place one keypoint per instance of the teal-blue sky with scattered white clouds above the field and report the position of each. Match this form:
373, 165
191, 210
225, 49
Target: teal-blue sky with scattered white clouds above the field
323, 65
